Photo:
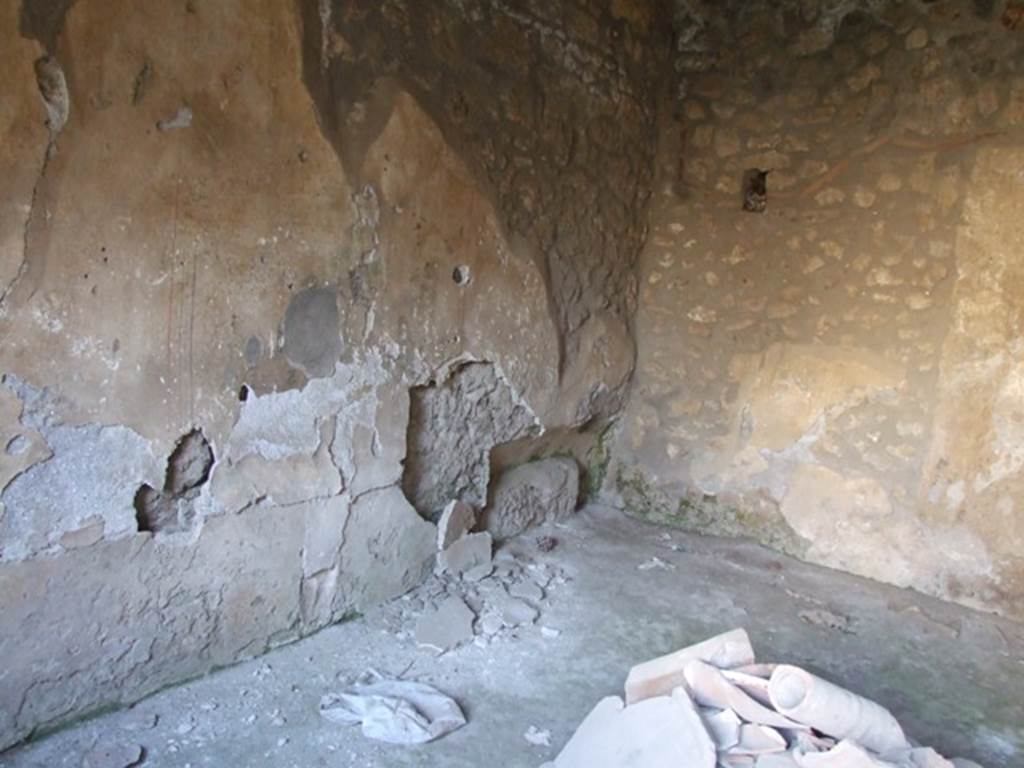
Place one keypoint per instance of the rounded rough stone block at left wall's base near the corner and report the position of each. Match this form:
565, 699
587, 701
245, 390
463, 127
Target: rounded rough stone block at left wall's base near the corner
533, 494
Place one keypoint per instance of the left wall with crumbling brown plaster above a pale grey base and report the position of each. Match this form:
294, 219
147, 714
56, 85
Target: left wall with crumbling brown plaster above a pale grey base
220, 230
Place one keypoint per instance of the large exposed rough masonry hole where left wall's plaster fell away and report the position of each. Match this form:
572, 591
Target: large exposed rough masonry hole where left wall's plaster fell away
453, 425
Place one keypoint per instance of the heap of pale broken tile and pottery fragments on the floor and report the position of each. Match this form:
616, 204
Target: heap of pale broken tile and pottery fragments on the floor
711, 706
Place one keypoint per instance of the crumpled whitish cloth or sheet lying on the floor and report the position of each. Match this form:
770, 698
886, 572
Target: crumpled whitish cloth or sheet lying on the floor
399, 712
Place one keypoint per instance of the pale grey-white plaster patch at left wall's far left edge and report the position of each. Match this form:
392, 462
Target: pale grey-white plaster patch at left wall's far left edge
93, 476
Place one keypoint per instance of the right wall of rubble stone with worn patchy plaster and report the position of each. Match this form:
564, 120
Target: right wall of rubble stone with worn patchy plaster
839, 376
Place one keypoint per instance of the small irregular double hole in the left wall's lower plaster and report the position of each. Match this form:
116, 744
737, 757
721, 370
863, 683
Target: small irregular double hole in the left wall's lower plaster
173, 509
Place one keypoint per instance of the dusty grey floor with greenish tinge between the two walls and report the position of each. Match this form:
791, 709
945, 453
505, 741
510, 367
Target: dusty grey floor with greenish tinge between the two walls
618, 592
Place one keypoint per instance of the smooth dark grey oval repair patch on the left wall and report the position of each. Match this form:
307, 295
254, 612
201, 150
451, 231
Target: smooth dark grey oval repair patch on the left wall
312, 333
